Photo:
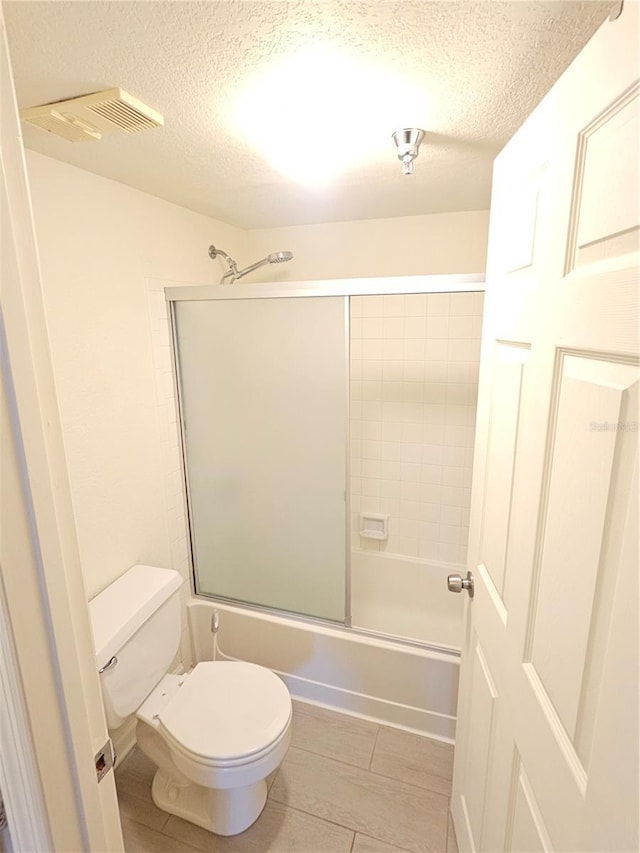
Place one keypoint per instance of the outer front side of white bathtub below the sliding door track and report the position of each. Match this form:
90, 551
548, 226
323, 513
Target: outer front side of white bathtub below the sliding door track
390, 682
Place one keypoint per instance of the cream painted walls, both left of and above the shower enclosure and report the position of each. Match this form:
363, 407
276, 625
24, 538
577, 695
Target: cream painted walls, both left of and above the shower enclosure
105, 252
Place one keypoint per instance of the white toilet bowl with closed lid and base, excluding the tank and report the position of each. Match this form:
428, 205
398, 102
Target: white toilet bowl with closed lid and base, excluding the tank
215, 734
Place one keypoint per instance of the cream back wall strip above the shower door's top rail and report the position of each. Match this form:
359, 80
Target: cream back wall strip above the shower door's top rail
411, 245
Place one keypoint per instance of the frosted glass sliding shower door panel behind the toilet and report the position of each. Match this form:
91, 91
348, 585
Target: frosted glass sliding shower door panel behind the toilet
263, 393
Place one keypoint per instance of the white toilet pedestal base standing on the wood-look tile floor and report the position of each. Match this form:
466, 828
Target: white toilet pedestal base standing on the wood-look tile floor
221, 811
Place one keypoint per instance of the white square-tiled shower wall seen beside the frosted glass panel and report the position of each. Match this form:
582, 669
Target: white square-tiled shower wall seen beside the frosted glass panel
414, 383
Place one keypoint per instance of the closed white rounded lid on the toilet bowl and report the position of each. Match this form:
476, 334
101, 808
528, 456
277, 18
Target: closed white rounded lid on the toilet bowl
227, 709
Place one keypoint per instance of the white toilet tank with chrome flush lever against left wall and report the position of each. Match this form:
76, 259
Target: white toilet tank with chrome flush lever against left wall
137, 620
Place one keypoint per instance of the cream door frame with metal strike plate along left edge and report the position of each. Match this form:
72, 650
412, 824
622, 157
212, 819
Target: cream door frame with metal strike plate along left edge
48, 626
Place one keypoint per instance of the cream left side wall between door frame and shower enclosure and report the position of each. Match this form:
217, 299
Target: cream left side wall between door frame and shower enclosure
99, 241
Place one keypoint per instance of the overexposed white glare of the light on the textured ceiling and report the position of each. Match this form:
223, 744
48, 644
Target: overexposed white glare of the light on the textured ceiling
321, 112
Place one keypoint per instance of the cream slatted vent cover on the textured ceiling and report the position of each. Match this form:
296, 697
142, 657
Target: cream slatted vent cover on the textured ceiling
89, 117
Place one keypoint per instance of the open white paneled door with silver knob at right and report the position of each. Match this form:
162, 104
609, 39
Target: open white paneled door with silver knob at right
547, 747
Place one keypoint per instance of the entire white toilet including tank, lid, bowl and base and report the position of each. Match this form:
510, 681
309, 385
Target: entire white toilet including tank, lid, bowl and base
215, 733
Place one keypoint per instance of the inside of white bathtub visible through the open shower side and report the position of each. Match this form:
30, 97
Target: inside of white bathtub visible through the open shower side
406, 597
